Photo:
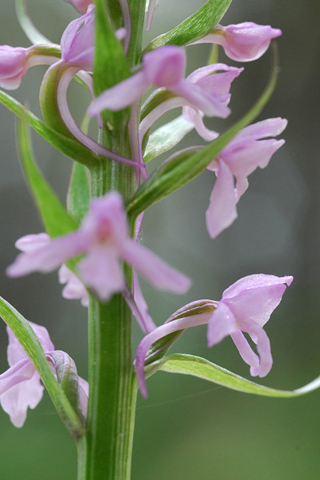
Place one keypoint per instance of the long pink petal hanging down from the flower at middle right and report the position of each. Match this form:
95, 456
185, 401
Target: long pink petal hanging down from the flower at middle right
222, 210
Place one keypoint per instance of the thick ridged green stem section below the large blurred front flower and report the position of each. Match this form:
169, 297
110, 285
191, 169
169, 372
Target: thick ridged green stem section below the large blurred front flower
112, 391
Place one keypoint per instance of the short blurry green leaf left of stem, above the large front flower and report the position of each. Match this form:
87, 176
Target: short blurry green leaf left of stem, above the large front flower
79, 193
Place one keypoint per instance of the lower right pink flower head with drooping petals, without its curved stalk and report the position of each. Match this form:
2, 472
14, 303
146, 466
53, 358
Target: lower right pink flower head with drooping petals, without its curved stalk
246, 306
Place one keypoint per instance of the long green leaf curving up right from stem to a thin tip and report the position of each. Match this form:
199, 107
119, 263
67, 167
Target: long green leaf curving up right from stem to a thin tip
184, 167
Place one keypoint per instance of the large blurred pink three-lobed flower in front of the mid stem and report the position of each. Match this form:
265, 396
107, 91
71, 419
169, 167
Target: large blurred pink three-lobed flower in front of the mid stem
104, 237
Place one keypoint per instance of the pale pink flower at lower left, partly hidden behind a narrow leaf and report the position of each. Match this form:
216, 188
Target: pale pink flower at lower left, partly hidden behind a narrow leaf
20, 385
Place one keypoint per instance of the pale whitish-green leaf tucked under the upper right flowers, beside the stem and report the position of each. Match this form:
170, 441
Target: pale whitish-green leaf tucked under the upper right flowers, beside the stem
167, 137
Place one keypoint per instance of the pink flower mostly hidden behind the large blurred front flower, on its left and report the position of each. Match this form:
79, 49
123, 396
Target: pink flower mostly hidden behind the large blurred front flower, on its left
74, 288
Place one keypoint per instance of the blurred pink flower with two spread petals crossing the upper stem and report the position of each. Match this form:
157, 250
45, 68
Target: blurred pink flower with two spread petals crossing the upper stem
163, 67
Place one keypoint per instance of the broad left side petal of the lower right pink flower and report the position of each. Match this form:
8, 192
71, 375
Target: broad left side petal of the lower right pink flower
221, 324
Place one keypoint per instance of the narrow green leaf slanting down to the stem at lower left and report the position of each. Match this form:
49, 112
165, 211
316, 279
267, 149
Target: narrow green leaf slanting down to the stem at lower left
29, 341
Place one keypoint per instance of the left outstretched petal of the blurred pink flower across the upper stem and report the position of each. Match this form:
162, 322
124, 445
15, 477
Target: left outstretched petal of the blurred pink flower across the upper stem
121, 95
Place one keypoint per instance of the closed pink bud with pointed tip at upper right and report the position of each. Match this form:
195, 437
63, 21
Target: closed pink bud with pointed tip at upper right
243, 42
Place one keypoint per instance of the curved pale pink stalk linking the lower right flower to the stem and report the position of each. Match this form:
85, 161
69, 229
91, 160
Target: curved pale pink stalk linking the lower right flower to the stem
160, 332
